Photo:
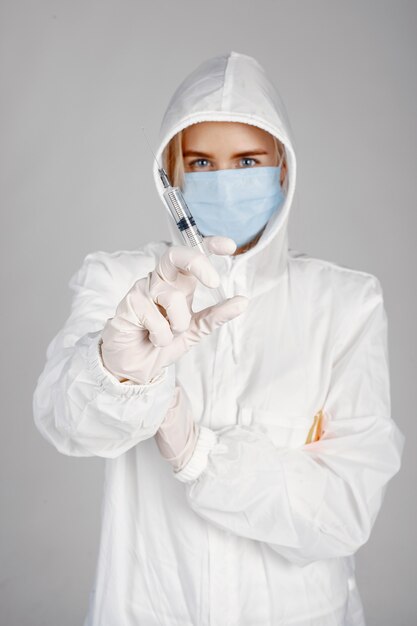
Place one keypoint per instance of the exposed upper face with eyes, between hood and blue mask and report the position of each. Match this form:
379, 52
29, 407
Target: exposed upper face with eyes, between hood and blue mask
209, 146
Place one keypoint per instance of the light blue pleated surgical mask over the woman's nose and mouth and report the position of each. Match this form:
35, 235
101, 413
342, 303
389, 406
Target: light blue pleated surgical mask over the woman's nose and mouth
236, 203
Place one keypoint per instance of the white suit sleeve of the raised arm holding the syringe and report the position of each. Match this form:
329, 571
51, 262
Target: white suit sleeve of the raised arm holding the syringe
78, 405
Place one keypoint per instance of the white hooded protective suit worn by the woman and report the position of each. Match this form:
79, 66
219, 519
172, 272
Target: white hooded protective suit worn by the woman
259, 528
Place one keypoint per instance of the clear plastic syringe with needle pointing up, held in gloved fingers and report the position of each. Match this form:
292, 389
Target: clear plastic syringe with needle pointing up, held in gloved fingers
185, 222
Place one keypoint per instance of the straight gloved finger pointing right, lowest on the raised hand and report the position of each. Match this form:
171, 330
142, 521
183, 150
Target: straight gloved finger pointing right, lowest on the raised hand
207, 320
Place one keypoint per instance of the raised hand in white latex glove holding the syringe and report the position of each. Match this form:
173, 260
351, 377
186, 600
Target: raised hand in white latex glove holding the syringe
154, 324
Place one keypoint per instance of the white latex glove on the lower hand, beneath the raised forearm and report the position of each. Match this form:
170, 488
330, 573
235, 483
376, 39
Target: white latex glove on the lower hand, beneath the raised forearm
177, 435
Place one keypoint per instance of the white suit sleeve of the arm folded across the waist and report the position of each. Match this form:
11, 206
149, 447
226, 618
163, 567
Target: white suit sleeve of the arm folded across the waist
320, 500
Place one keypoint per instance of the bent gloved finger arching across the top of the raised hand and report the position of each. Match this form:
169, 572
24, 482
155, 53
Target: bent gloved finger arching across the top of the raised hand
187, 260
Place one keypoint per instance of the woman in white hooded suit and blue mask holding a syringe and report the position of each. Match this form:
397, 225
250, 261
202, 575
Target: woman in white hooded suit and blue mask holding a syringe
248, 444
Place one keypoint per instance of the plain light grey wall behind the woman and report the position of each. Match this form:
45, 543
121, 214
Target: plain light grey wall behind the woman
79, 78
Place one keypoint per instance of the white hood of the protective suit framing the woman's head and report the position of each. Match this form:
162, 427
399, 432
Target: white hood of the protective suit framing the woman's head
233, 87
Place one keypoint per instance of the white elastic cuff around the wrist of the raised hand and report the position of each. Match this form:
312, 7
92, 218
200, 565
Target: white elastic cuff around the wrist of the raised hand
107, 380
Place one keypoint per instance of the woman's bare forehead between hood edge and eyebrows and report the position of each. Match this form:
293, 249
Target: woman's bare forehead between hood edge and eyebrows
224, 134
